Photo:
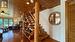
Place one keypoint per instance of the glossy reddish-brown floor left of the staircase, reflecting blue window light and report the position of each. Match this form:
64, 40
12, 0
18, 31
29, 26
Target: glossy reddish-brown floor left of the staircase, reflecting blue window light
13, 36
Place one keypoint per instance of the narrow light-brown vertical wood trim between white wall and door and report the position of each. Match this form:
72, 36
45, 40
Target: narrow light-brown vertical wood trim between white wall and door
66, 22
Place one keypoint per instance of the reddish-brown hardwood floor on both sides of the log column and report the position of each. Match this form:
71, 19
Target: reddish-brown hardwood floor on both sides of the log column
16, 36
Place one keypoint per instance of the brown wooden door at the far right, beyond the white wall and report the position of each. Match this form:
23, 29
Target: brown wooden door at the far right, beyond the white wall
70, 6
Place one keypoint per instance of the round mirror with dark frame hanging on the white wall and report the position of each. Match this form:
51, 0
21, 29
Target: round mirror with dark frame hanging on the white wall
55, 18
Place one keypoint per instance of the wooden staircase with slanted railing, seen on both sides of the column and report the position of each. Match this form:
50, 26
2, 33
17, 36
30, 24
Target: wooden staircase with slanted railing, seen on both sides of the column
28, 30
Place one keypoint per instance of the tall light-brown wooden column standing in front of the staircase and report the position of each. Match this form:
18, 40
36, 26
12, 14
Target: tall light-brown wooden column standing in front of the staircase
36, 30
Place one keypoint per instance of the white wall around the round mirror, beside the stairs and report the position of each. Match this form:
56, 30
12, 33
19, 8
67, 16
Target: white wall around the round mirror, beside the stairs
57, 32
